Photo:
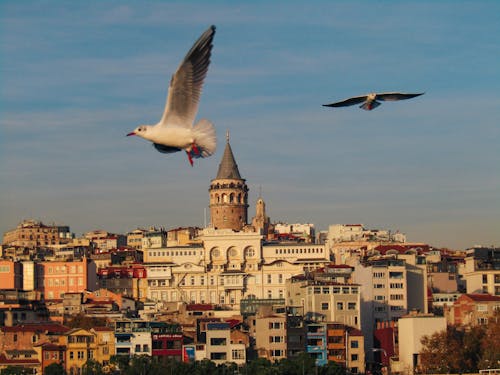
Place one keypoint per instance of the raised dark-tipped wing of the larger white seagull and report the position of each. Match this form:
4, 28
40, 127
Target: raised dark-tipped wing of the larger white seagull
186, 84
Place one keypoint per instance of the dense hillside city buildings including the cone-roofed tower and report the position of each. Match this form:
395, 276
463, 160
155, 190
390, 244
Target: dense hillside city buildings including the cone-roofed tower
238, 290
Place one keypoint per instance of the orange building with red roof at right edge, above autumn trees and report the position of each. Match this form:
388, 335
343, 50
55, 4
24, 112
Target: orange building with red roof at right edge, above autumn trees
473, 309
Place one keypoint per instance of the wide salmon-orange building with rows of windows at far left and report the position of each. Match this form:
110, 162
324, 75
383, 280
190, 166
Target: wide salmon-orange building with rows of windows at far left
55, 278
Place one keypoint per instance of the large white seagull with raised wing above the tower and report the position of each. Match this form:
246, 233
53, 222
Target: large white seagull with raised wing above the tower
175, 131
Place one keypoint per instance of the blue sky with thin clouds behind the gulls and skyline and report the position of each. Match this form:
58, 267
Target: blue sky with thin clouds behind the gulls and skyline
76, 77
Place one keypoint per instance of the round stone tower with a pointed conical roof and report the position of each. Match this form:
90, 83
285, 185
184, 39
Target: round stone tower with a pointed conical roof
228, 194
